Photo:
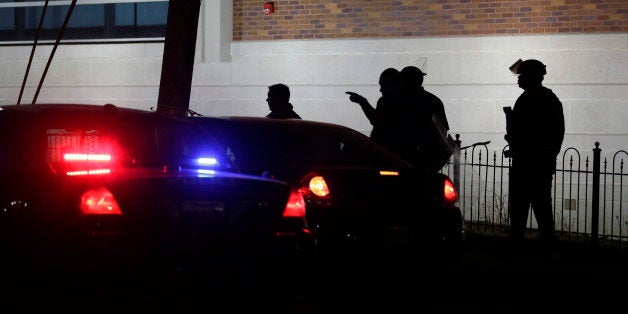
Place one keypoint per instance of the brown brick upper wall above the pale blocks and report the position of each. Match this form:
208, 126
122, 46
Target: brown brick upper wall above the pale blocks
313, 19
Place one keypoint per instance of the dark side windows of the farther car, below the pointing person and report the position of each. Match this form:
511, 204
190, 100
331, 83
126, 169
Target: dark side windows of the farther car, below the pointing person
256, 148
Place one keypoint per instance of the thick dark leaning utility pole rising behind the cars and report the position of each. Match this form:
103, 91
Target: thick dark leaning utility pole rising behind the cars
178, 59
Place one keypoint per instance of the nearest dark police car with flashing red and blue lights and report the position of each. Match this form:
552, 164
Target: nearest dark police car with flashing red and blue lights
92, 178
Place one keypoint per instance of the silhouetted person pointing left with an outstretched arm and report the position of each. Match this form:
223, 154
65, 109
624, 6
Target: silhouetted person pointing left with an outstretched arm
385, 117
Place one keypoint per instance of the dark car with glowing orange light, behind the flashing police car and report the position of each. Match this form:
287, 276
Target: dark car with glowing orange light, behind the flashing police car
358, 194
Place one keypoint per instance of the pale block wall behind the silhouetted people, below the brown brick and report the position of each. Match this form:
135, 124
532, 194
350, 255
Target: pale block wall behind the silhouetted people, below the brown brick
589, 73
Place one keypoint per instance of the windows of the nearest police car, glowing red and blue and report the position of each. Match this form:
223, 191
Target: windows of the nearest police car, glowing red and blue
129, 142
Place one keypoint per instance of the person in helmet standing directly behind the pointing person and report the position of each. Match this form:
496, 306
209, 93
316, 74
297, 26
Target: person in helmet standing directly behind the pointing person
429, 119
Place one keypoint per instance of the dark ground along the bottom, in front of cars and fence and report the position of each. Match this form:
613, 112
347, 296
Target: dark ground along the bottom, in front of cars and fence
486, 279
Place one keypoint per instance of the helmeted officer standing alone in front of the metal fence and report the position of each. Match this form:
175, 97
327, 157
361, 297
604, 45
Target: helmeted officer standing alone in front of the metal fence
535, 128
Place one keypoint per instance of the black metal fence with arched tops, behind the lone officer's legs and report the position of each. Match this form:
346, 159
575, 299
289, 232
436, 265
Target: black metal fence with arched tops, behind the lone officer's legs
588, 192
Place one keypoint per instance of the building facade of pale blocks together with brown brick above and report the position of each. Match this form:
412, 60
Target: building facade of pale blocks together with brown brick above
323, 48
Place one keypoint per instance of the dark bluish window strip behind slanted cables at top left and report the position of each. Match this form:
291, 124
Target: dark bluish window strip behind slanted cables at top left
91, 21
